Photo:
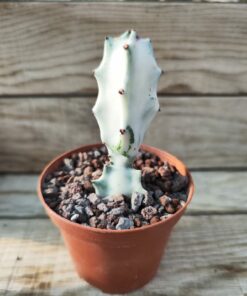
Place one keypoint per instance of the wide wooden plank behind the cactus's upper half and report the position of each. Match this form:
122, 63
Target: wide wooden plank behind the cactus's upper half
49, 48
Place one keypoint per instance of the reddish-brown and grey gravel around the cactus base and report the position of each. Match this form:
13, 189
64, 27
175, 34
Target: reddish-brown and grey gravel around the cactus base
70, 193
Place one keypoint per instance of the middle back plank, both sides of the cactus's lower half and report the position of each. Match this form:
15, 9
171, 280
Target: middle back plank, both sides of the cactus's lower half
202, 131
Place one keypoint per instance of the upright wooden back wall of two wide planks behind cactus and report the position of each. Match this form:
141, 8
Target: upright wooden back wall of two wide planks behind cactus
48, 52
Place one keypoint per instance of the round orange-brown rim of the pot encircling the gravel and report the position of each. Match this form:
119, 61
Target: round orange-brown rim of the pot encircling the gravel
155, 150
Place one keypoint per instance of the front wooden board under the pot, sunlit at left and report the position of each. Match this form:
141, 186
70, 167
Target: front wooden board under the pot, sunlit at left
206, 256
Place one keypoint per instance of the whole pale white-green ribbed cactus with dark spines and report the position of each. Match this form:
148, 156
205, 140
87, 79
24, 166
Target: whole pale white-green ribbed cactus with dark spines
126, 104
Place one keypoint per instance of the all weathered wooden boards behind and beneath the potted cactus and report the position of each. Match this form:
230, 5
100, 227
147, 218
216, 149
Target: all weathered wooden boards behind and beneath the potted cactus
47, 53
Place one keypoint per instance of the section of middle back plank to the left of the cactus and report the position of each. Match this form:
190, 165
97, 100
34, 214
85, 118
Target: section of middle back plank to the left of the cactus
35, 130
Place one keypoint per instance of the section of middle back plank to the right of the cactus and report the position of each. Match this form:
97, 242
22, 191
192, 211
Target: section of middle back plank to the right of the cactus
203, 132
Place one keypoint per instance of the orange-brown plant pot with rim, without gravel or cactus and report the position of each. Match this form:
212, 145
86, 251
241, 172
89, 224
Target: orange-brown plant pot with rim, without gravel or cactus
116, 261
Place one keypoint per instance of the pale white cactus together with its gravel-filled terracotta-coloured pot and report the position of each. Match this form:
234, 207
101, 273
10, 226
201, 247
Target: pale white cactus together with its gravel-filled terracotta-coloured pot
116, 204
